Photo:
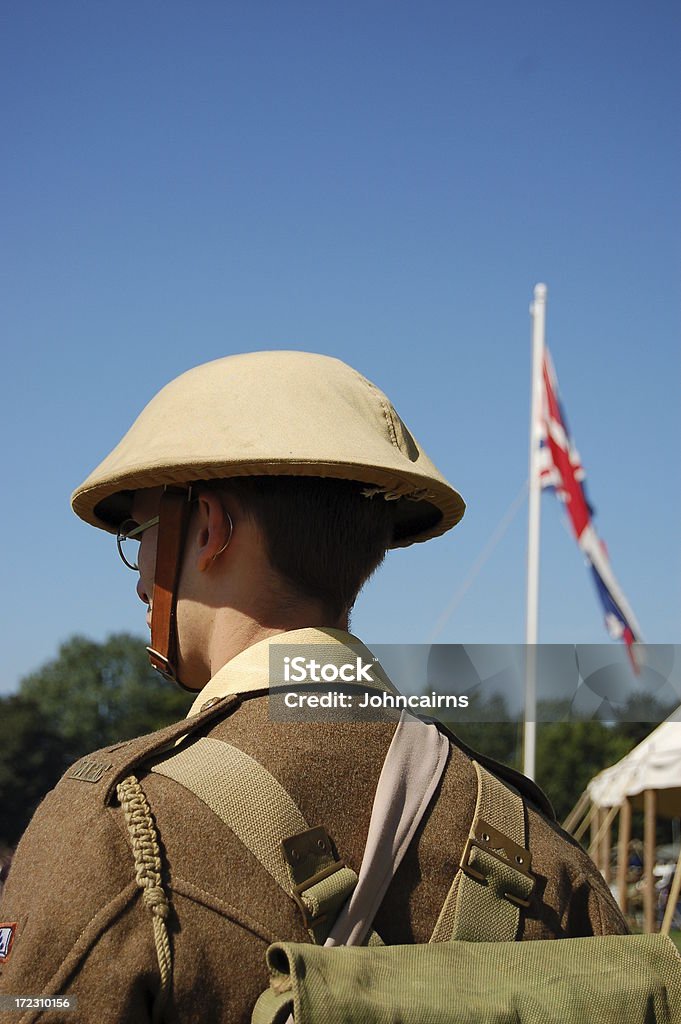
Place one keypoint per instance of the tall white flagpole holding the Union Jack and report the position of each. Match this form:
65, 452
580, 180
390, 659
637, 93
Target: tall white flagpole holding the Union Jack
538, 312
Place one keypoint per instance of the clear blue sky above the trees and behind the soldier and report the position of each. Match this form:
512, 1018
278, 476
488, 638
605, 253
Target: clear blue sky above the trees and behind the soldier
382, 182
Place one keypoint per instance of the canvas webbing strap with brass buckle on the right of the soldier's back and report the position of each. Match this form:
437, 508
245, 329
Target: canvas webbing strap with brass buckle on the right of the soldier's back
495, 879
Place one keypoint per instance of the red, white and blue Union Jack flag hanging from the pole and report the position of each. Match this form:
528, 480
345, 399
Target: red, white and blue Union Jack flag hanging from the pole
562, 470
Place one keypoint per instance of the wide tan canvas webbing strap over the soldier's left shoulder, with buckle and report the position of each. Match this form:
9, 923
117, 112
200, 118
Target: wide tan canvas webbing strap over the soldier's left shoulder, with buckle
261, 813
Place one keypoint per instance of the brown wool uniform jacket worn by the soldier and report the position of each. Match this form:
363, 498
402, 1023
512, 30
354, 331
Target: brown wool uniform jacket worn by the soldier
83, 928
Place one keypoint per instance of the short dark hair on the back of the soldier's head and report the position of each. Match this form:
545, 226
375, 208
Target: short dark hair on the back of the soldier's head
323, 537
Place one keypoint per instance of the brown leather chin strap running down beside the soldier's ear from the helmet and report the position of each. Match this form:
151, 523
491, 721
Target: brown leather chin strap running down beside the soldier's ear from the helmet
174, 520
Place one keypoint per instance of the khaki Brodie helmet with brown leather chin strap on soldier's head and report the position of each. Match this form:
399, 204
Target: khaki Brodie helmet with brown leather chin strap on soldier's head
263, 414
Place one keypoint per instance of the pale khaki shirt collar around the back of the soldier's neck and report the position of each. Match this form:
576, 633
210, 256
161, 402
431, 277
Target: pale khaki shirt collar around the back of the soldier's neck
249, 671
